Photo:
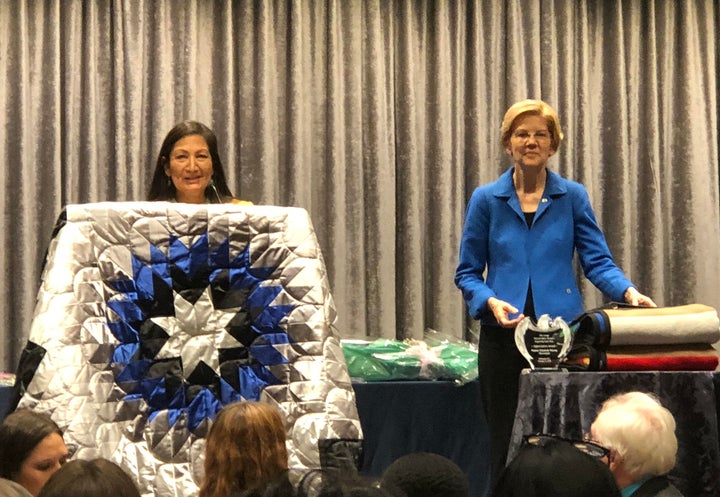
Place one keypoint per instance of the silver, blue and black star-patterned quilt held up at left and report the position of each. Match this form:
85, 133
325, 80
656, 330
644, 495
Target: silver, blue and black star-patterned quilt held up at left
151, 316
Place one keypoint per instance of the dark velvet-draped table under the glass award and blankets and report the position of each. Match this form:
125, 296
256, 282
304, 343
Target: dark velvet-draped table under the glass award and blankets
565, 404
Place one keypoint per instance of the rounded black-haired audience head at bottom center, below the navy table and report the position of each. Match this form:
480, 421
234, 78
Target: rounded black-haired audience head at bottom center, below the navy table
424, 474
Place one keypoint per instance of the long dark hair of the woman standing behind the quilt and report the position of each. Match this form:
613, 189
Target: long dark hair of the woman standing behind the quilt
162, 188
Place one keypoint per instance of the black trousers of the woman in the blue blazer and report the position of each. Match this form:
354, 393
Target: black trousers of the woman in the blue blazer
499, 366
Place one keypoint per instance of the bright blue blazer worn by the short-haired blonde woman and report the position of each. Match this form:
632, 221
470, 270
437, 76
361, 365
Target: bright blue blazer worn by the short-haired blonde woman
496, 237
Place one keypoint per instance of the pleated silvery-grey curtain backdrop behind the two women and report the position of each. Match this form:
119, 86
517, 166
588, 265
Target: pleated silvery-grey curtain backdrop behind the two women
379, 117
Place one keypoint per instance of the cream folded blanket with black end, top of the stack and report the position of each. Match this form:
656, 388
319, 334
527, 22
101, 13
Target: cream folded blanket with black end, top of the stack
624, 325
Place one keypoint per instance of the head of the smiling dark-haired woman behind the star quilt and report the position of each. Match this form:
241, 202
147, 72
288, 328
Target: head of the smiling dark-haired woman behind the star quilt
188, 167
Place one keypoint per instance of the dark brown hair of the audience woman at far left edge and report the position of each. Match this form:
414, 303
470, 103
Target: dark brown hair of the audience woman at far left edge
20, 433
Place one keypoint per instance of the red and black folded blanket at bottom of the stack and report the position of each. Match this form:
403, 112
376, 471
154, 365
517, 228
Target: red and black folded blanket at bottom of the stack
686, 357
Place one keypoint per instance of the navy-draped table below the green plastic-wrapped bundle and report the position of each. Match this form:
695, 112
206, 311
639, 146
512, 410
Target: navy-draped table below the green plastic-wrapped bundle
401, 417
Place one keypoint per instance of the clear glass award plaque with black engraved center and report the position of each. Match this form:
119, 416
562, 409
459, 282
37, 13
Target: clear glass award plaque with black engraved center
545, 343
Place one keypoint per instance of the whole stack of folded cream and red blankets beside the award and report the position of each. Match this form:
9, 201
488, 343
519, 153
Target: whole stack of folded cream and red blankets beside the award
624, 338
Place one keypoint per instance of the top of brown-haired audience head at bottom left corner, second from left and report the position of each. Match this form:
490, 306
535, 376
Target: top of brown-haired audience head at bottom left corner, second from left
95, 478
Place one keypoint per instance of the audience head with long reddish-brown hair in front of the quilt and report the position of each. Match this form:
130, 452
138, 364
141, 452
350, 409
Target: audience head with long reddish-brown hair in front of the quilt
245, 448
